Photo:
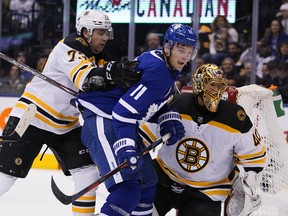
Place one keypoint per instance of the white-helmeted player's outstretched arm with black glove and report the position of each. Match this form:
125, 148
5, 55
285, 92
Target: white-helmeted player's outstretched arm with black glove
87, 76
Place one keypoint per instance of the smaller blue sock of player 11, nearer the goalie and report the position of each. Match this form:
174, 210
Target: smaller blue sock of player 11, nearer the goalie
145, 206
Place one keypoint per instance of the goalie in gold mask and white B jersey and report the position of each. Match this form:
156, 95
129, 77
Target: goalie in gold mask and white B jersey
193, 174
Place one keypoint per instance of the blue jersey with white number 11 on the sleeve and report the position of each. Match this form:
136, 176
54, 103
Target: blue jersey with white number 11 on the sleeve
140, 102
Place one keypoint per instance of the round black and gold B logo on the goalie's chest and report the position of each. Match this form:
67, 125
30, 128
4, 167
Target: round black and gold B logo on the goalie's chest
192, 155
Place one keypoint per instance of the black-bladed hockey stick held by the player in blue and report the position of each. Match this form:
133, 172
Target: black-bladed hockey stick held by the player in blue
66, 199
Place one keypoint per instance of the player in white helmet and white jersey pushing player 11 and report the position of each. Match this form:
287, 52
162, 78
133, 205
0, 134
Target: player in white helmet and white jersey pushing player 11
74, 63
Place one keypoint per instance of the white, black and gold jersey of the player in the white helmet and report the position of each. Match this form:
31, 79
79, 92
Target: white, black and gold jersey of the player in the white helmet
68, 64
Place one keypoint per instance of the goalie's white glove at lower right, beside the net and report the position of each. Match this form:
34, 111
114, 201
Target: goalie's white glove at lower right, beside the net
244, 200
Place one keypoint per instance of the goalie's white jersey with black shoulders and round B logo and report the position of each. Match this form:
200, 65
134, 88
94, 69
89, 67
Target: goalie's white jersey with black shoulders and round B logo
213, 144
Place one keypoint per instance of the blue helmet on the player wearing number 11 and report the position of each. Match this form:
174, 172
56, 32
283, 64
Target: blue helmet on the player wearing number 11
181, 34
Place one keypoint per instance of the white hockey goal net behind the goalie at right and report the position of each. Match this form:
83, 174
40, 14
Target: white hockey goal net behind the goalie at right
273, 180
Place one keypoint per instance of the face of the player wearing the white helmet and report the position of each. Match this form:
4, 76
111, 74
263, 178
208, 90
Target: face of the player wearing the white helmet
99, 39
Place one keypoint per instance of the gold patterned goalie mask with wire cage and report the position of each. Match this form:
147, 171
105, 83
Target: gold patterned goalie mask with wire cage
209, 84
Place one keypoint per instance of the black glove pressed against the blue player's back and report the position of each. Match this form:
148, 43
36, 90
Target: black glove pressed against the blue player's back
122, 73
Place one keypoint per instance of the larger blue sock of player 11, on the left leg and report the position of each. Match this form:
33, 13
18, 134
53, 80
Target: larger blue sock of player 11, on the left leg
123, 199
